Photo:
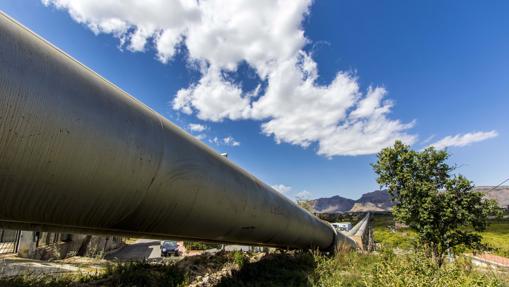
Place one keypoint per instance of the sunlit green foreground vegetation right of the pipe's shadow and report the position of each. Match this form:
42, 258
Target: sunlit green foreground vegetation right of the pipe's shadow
389, 269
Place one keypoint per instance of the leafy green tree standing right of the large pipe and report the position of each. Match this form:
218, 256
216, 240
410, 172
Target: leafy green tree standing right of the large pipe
440, 206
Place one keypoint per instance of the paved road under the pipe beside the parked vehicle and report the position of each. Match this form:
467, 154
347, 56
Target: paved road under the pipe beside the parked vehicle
141, 249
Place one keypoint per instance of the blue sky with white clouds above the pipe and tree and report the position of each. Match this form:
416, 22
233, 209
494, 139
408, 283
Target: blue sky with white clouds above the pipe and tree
433, 70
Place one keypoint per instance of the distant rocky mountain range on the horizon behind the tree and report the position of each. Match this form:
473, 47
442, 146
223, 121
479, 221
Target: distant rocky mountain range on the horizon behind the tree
380, 200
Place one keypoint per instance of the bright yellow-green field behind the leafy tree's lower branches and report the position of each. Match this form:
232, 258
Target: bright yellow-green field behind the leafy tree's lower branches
496, 236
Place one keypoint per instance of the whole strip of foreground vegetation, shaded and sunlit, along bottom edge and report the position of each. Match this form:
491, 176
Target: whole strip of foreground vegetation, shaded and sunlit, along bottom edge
283, 269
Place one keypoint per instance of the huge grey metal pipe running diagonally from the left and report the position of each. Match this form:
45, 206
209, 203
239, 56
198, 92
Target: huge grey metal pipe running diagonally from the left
78, 153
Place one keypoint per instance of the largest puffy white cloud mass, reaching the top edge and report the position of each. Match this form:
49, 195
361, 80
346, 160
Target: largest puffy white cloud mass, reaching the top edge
292, 107
